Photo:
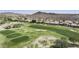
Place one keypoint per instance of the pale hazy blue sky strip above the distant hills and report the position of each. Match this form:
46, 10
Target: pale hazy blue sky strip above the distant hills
48, 11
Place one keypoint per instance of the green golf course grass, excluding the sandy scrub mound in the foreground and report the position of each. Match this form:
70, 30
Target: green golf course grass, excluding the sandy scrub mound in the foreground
29, 32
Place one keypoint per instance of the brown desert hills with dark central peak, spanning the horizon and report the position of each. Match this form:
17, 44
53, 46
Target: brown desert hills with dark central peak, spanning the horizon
39, 15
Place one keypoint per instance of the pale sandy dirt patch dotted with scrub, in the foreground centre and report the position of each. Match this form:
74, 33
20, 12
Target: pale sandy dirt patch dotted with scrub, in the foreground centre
43, 42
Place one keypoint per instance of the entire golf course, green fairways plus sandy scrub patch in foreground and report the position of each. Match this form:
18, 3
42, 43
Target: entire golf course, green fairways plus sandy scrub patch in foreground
33, 35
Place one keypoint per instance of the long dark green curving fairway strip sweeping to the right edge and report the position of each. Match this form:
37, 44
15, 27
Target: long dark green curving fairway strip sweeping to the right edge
73, 36
